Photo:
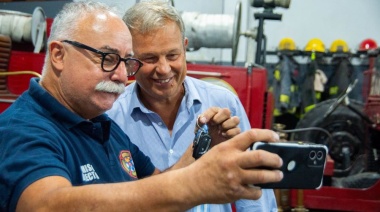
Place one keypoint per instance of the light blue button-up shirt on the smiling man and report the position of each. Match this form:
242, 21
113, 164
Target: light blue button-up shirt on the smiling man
146, 129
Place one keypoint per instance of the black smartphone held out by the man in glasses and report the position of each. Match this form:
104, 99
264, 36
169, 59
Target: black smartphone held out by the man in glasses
303, 164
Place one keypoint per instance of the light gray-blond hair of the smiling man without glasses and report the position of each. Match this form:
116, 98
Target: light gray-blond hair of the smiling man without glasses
150, 15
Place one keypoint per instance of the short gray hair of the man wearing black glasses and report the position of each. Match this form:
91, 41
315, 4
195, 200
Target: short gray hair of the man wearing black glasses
65, 24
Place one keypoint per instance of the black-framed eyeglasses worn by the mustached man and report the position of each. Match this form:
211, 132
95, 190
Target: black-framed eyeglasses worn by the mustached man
110, 61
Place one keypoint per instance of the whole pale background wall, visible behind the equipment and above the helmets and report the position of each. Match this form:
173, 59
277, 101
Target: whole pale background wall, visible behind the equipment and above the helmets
351, 20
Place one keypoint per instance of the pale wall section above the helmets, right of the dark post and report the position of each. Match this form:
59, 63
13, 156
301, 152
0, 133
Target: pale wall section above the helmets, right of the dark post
328, 20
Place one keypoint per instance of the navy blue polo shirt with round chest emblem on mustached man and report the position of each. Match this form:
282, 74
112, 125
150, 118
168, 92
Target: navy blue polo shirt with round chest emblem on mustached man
39, 137
